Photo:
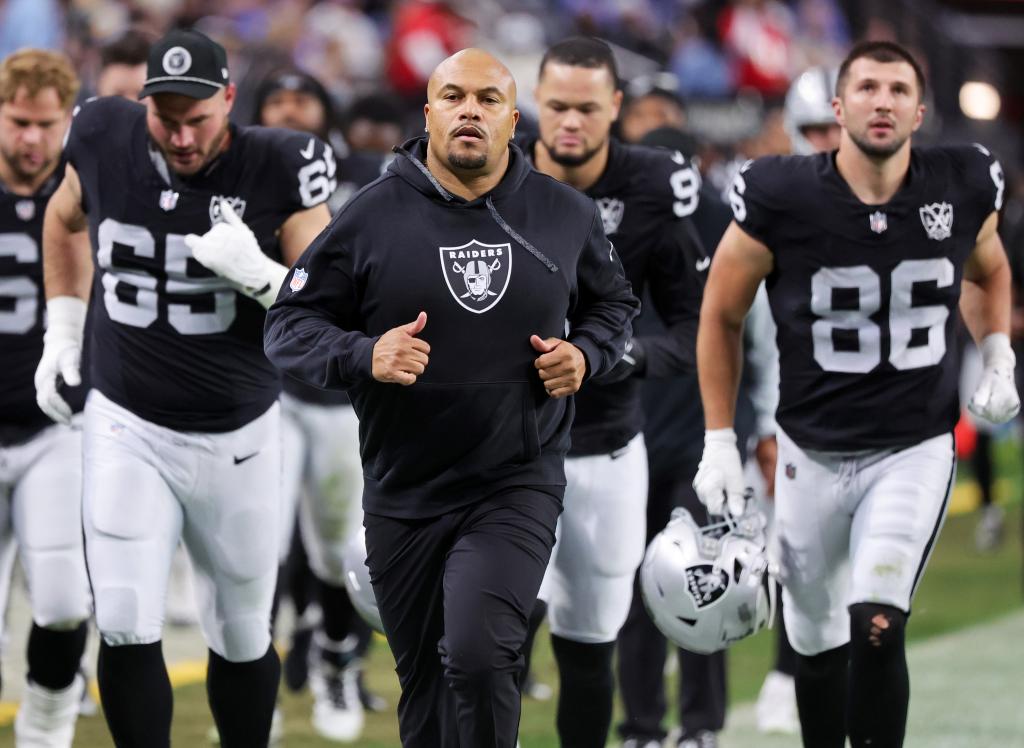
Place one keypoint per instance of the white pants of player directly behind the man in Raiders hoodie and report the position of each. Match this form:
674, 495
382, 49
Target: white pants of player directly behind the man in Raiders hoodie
600, 545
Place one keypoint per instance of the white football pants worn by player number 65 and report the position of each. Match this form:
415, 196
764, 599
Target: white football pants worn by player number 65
146, 488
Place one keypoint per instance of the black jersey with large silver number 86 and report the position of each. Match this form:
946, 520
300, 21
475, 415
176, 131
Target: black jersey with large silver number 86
866, 297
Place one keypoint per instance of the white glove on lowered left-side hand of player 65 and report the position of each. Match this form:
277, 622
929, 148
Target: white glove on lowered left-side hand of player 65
62, 355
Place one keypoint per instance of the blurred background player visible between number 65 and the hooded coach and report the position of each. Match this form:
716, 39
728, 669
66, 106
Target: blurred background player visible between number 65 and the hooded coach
324, 476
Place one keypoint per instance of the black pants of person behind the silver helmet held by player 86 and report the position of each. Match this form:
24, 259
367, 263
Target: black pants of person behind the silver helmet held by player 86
643, 649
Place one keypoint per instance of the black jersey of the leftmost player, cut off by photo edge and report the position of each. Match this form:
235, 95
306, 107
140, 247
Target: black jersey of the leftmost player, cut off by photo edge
23, 307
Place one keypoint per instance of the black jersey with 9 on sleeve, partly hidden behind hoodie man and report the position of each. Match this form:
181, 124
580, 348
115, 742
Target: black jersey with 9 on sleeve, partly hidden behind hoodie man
646, 198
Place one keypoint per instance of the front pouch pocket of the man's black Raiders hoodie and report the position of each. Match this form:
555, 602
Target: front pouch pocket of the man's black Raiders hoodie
429, 432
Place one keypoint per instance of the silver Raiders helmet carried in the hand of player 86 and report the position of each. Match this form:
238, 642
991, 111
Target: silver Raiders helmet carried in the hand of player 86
708, 588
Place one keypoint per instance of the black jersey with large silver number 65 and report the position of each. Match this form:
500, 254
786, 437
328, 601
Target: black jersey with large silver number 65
170, 341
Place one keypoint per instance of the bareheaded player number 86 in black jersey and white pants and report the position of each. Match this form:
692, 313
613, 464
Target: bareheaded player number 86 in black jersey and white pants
864, 251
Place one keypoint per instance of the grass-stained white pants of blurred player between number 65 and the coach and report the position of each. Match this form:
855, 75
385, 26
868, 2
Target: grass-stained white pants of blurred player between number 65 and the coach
324, 476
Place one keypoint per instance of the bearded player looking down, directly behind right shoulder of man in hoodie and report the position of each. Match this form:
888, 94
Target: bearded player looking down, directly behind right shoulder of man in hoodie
645, 196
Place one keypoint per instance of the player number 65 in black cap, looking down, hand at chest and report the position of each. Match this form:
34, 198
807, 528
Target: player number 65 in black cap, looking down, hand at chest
193, 223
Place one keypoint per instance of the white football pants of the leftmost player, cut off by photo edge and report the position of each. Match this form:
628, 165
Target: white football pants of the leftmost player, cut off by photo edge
41, 516
